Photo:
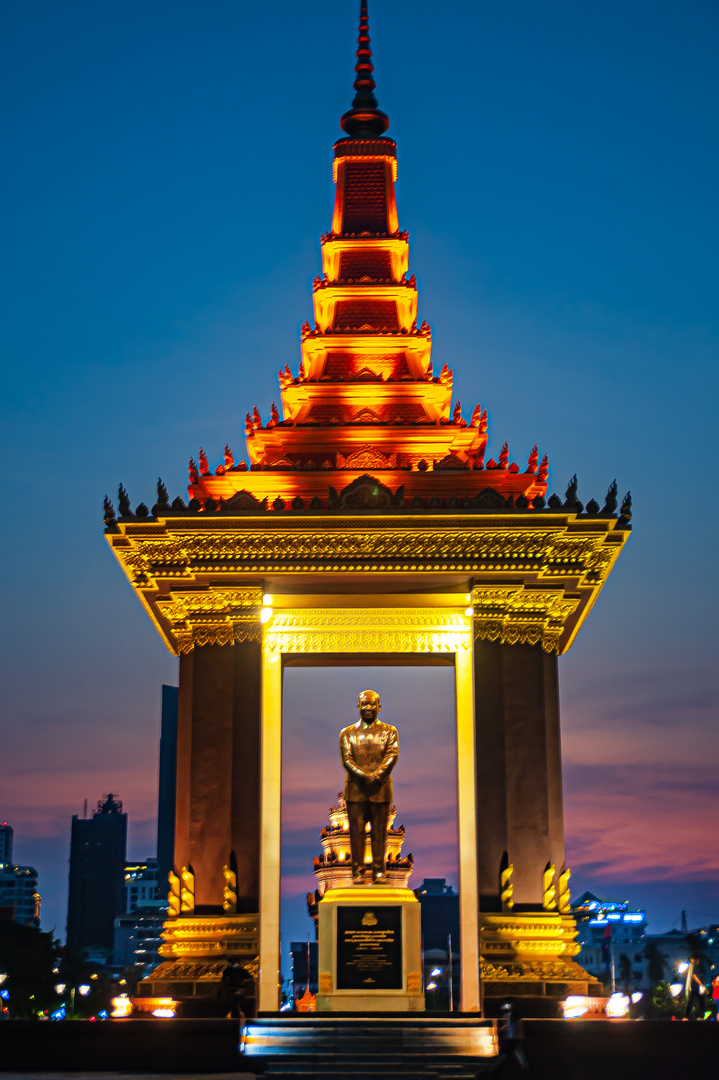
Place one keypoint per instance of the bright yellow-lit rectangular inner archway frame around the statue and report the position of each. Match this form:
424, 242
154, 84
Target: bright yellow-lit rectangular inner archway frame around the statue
330, 636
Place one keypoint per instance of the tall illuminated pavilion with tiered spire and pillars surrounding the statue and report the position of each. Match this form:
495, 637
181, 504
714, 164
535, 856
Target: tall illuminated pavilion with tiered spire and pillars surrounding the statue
368, 525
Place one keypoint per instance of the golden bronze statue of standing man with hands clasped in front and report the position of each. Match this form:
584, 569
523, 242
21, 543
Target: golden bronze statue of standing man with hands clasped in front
370, 751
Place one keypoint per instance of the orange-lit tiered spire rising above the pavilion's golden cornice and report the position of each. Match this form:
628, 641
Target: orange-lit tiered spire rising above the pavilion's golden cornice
365, 399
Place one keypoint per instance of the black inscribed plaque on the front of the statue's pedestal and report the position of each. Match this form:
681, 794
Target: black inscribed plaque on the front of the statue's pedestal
370, 949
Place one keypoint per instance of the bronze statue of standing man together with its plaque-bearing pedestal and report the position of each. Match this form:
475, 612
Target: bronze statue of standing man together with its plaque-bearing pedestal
371, 957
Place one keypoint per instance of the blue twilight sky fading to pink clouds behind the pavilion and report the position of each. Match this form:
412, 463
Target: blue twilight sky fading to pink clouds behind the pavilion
167, 178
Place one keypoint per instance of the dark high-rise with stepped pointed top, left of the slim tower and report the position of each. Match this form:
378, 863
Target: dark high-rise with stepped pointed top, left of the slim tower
98, 876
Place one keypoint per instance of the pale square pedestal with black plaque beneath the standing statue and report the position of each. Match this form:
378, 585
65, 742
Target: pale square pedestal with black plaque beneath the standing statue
371, 951
